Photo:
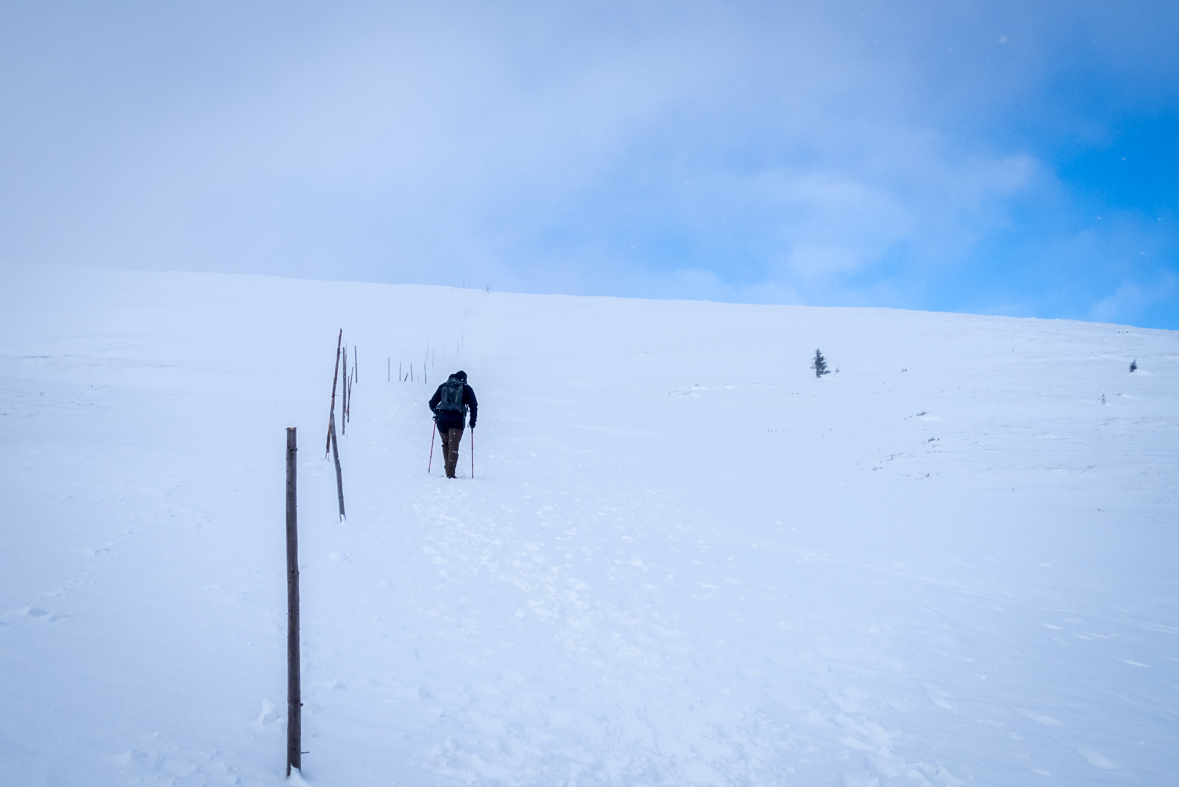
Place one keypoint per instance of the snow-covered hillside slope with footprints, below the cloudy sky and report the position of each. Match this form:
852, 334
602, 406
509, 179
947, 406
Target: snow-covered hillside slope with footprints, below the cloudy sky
683, 560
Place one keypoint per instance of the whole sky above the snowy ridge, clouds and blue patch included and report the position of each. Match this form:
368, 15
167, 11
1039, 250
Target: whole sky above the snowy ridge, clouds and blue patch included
989, 157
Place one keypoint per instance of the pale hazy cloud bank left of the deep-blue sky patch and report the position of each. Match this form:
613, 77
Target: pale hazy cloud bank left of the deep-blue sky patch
746, 151
